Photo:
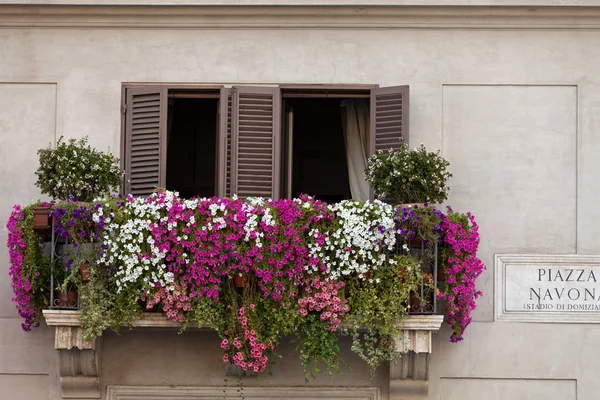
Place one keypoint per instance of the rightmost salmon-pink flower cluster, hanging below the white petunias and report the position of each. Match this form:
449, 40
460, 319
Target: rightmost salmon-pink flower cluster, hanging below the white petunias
323, 297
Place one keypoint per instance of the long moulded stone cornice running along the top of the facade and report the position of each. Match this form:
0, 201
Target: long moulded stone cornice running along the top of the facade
298, 17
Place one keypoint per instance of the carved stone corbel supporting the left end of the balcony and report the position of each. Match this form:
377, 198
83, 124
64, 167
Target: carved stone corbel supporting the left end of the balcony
78, 358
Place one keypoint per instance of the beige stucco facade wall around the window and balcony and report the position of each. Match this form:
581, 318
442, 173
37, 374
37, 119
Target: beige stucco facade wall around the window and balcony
516, 112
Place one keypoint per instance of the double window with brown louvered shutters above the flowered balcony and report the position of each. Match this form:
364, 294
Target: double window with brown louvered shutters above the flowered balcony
258, 141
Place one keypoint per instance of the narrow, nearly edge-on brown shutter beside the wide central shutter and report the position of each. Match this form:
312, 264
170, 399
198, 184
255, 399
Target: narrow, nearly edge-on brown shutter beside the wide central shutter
224, 162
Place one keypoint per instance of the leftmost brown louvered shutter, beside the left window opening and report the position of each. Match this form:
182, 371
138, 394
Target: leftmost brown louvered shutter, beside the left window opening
145, 139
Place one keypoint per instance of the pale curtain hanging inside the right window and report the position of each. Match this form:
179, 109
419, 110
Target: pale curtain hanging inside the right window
355, 120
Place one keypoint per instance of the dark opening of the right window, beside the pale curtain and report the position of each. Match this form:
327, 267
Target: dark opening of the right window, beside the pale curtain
318, 165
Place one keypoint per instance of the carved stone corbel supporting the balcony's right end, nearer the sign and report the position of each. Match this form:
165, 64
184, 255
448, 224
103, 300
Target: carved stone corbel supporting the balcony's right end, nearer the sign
410, 374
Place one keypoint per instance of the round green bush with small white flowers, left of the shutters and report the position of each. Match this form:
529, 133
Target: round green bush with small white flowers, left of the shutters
76, 169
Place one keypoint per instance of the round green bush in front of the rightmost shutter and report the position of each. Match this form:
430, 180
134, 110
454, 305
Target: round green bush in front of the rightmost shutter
409, 175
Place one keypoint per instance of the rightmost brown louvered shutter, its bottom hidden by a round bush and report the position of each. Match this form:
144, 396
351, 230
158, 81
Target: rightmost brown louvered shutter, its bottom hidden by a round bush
389, 117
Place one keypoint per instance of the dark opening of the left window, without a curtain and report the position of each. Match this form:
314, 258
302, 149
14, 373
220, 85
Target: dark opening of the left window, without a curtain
191, 146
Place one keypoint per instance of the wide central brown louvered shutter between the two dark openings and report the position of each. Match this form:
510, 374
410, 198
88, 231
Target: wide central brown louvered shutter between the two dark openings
256, 138
